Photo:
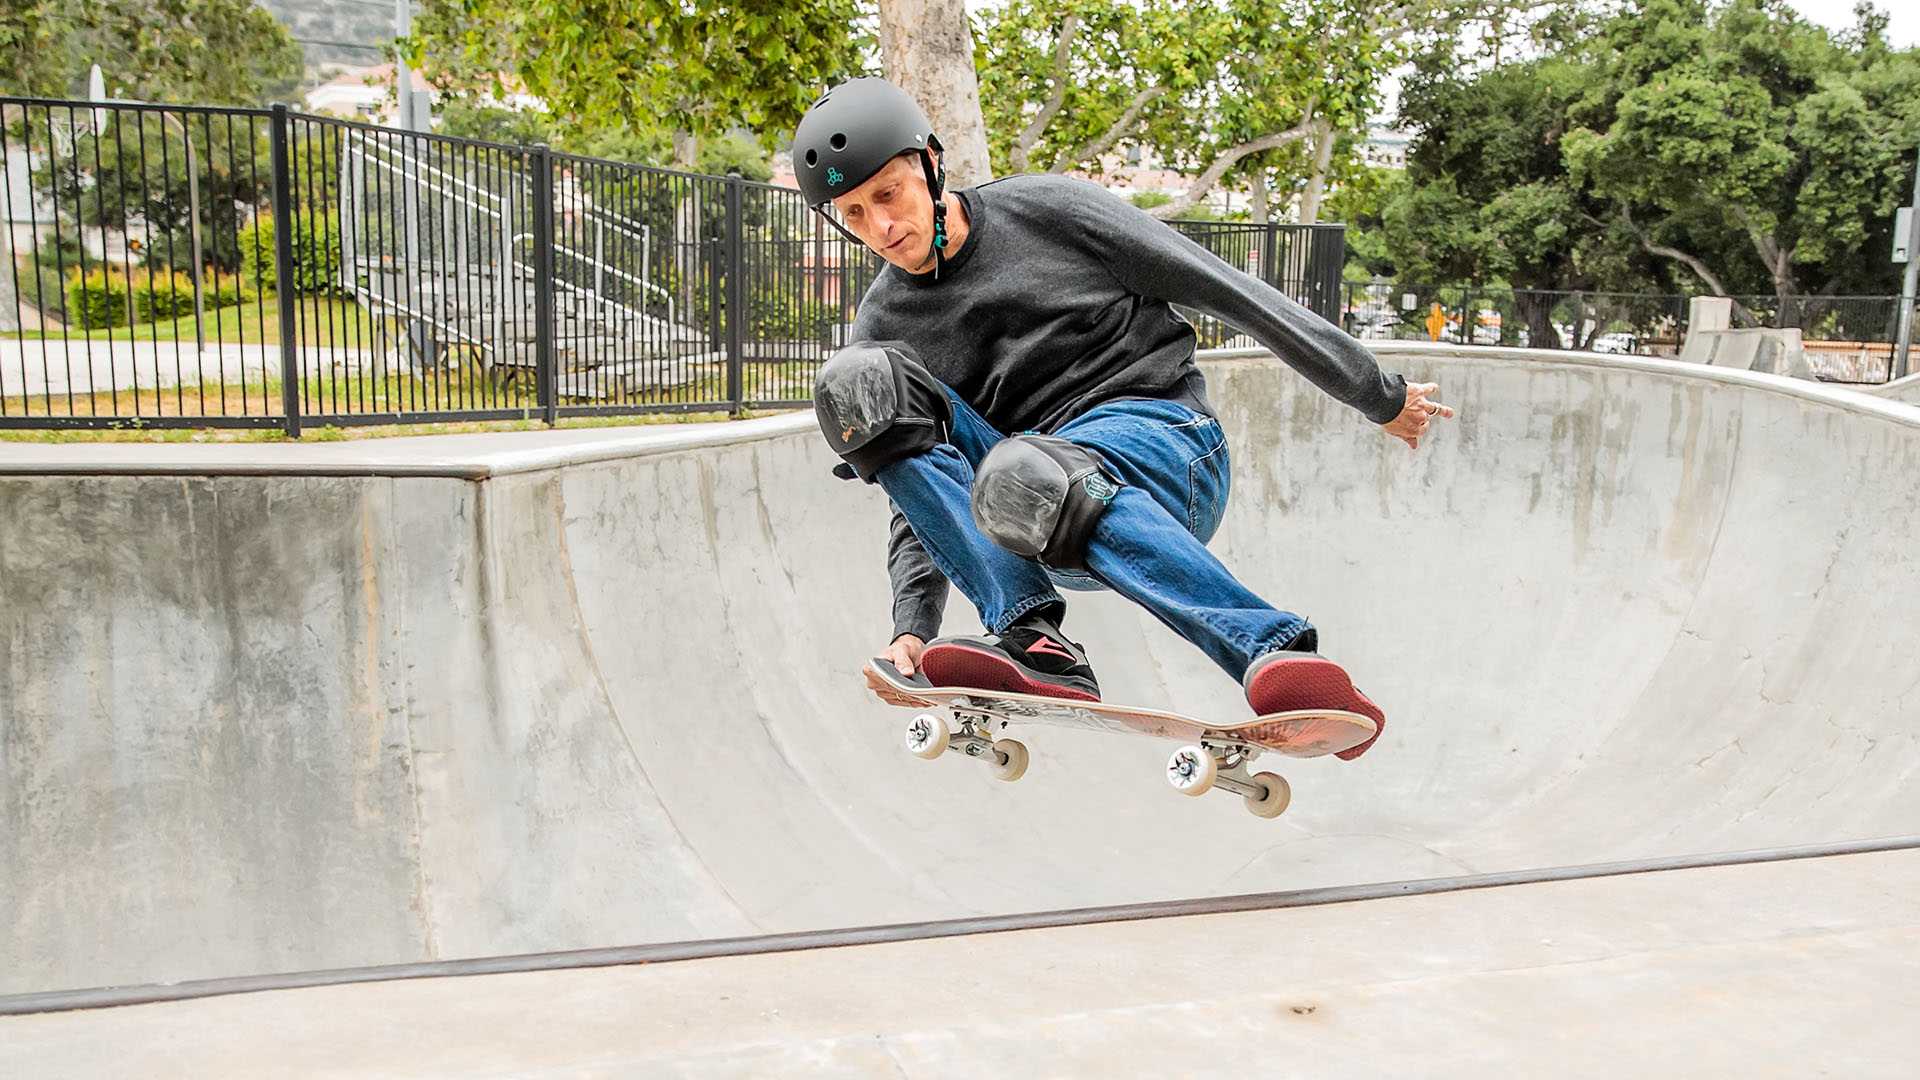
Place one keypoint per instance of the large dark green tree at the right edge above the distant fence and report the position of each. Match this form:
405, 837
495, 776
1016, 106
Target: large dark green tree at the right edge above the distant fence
1750, 147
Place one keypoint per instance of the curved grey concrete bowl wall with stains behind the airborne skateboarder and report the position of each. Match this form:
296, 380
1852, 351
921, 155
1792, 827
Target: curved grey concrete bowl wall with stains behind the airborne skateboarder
448, 699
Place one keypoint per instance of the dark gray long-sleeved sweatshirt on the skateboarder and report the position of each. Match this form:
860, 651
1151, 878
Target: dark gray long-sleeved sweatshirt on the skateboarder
1063, 299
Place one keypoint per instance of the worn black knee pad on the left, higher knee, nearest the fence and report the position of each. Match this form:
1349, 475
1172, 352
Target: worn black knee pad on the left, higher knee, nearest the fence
878, 405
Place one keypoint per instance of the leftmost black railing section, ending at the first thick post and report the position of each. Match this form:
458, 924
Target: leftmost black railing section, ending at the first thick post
133, 266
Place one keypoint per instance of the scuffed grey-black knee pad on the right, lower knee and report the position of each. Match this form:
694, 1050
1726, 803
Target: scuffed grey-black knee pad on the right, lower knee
1040, 497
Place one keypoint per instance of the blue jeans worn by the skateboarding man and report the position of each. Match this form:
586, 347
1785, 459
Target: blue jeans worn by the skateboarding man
1149, 545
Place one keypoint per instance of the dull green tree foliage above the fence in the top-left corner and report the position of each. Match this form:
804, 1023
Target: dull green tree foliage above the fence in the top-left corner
228, 53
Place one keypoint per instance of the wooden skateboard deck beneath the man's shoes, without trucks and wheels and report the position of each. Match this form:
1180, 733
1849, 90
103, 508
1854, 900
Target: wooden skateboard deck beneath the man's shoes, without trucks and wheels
1293, 735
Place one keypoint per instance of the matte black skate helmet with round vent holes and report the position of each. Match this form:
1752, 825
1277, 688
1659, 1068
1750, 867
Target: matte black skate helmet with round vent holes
852, 134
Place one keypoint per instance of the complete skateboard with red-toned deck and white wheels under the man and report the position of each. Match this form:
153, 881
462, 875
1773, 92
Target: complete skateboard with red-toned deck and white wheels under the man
974, 724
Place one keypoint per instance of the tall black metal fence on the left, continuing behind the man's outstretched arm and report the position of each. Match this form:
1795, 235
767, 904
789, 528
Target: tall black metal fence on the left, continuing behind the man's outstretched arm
174, 266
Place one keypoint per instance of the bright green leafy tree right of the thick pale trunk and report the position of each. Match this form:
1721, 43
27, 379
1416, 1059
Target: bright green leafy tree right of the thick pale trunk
1268, 95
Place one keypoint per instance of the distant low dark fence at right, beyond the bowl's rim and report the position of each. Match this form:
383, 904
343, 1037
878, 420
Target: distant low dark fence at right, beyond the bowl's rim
1850, 339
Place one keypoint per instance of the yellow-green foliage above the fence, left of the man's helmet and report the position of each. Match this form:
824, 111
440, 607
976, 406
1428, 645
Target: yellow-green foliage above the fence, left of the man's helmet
686, 70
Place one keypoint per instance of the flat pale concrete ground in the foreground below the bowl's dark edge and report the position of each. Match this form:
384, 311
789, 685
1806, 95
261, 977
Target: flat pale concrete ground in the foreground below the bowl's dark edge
1787, 970
